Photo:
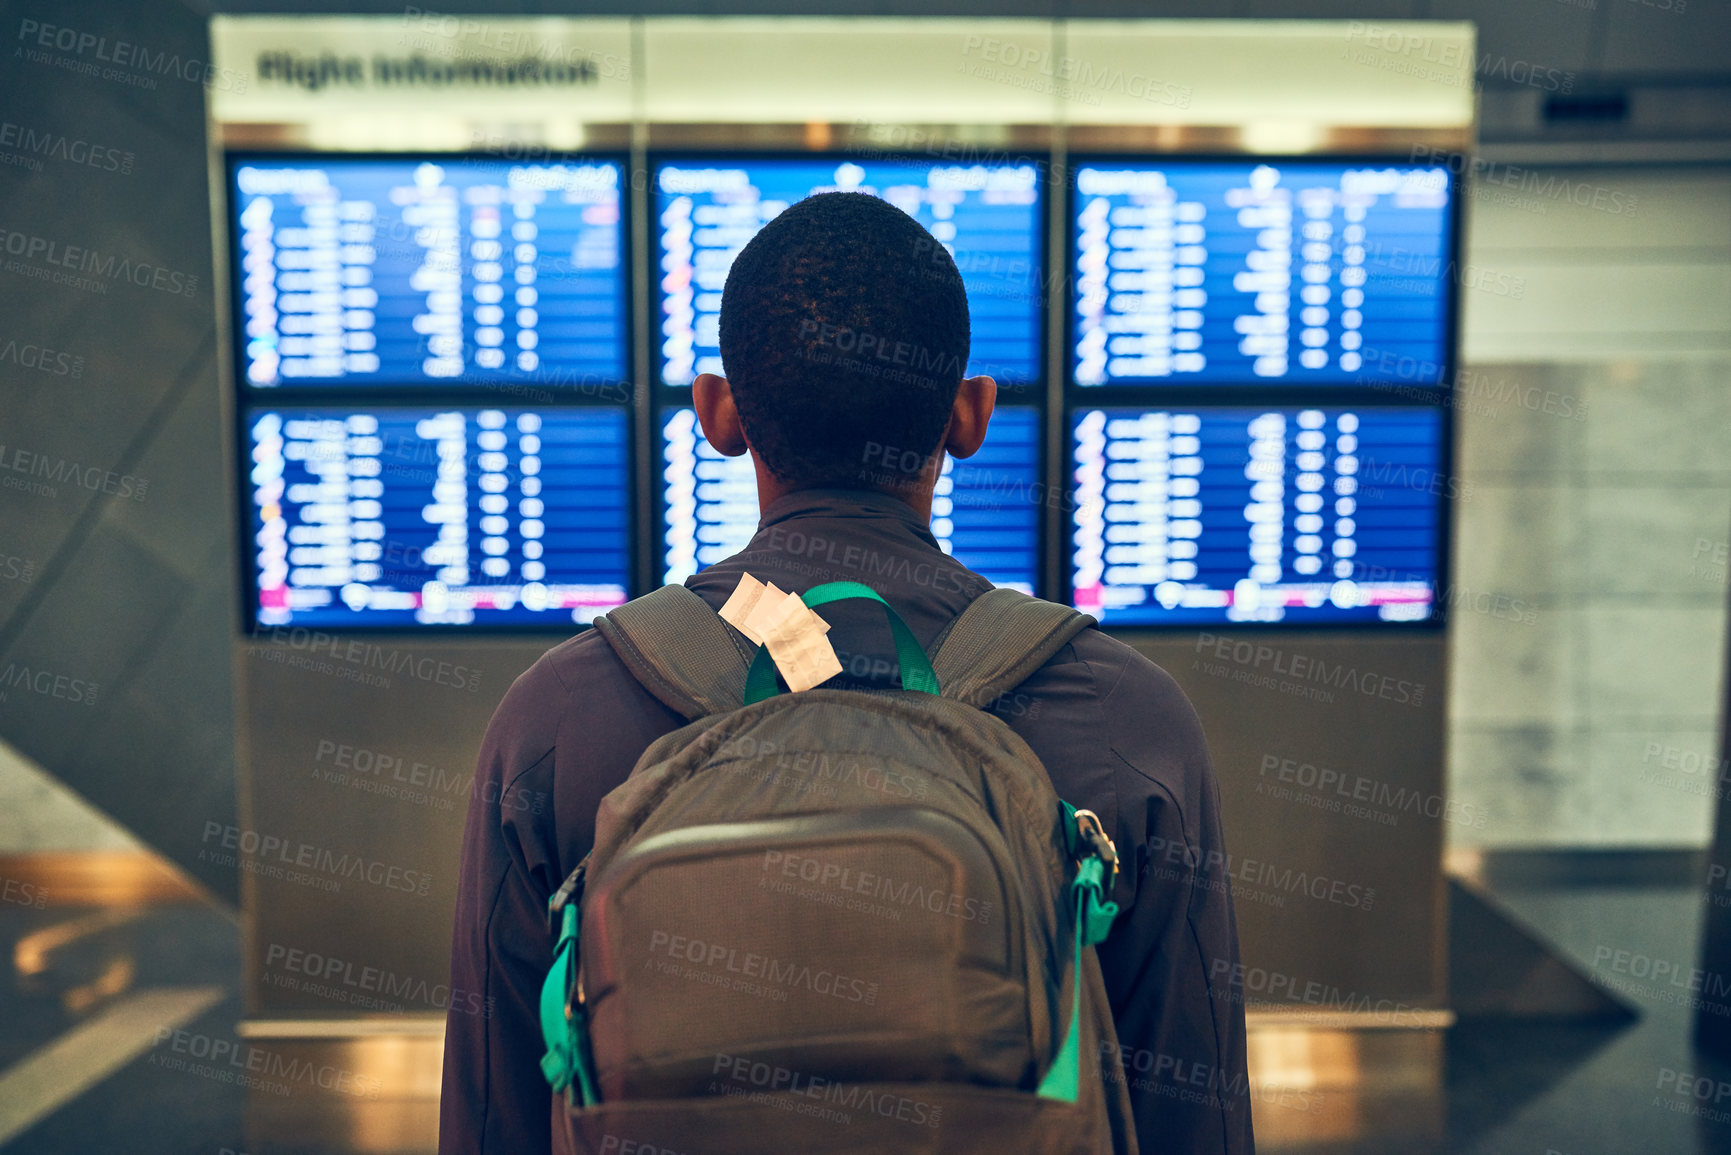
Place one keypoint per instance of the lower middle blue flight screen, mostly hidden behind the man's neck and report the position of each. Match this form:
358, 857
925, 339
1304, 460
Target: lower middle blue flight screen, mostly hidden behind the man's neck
986, 512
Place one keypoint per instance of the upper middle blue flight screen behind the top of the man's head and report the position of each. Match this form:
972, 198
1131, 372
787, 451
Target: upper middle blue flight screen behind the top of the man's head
988, 217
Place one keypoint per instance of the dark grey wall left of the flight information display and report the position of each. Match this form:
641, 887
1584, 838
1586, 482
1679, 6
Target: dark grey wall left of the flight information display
117, 588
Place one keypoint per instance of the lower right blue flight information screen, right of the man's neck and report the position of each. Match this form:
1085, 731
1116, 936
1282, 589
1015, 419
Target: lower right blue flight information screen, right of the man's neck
1202, 515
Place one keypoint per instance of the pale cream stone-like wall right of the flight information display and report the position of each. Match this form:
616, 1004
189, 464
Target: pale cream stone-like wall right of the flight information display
1592, 564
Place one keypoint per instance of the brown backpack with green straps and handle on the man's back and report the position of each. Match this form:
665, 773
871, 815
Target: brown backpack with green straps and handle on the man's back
839, 920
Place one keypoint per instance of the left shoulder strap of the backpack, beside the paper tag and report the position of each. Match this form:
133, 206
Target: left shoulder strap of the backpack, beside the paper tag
681, 652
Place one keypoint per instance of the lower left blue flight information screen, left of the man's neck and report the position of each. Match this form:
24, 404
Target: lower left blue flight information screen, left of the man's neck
430, 517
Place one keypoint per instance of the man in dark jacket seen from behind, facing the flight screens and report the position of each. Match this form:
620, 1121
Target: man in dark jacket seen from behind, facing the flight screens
846, 332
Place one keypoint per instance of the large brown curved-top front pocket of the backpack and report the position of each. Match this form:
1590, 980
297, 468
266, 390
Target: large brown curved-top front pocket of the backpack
866, 946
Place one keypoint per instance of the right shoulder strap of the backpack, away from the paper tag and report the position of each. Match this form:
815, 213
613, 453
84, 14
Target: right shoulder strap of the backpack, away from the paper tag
1000, 642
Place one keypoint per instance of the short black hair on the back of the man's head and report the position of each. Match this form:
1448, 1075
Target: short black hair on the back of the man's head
844, 337
